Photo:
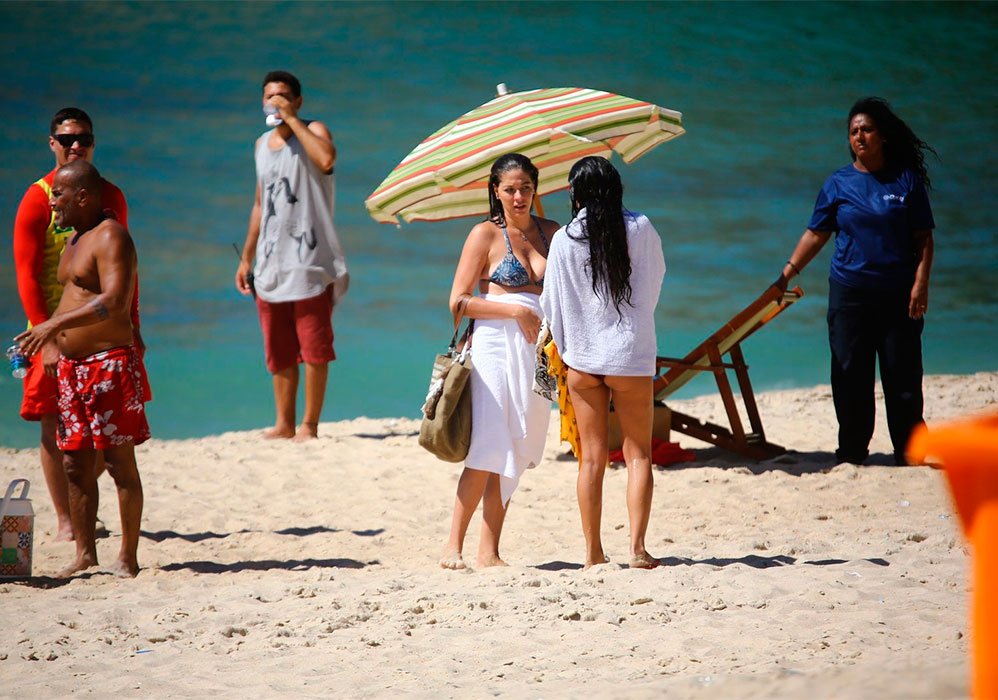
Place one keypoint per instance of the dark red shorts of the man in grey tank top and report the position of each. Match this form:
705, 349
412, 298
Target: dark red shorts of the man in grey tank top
297, 331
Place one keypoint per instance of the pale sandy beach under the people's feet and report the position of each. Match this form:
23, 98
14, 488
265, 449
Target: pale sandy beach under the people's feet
310, 570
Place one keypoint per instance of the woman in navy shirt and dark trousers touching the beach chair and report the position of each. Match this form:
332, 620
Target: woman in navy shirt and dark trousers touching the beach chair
878, 294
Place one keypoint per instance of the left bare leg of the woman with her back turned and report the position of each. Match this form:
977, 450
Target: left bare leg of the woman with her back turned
591, 400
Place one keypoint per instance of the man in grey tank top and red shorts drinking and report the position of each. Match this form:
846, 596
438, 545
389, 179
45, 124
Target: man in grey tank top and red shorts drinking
300, 271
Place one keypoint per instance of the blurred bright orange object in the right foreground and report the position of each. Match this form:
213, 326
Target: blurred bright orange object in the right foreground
968, 451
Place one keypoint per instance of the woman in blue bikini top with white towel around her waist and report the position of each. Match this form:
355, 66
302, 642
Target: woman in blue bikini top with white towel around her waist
505, 256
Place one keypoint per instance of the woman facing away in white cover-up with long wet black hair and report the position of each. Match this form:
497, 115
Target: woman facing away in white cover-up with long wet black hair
604, 277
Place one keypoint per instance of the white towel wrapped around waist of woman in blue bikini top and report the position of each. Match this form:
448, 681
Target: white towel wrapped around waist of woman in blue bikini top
508, 420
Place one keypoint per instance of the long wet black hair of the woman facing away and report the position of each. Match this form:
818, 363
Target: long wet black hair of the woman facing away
595, 185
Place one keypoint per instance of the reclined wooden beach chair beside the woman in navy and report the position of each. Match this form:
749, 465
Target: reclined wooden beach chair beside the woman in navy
709, 356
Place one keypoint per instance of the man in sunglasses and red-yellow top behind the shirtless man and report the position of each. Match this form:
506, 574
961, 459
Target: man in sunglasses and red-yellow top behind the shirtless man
38, 245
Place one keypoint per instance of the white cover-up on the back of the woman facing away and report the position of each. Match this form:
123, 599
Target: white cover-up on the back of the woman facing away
590, 334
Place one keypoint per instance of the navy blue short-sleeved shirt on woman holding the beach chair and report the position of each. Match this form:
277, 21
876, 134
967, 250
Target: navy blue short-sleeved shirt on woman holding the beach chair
874, 217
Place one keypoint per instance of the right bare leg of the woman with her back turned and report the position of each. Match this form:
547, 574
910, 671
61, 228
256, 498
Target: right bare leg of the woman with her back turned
632, 401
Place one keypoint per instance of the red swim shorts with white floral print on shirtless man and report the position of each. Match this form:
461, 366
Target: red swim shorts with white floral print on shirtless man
102, 400
